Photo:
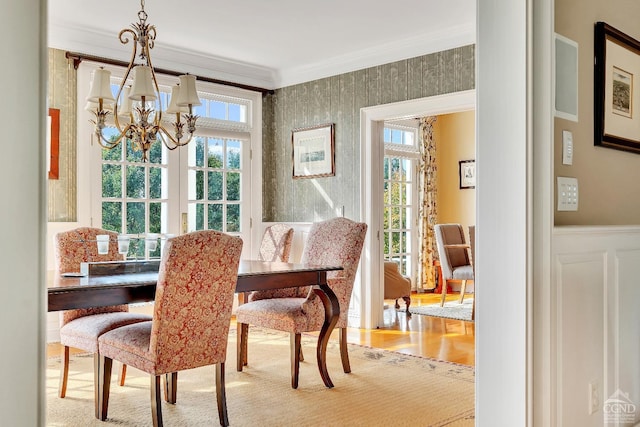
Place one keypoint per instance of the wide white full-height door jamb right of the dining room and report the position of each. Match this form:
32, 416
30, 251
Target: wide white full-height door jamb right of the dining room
504, 211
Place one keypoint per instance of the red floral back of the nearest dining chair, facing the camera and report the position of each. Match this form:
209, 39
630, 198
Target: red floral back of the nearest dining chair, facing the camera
194, 296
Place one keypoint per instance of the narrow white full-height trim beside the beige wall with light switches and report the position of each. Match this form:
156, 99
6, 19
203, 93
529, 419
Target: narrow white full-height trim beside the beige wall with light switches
541, 369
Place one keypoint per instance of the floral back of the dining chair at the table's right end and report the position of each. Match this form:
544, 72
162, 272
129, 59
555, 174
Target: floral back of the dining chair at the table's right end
337, 241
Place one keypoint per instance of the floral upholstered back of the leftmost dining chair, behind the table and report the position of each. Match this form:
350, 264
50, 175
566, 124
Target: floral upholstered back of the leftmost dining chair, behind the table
79, 245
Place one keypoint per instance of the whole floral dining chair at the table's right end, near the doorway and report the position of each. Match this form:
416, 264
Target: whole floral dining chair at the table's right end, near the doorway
336, 241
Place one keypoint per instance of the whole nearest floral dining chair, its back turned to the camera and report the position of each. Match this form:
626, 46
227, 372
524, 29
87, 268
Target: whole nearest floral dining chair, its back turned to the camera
191, 319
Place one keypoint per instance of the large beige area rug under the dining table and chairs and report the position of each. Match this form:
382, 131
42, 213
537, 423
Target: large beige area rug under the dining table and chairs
384, 389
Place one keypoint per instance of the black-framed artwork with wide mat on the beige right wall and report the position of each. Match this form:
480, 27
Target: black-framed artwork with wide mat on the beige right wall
617, 66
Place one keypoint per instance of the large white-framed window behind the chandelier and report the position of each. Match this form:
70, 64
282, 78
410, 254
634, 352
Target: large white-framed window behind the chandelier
206, 184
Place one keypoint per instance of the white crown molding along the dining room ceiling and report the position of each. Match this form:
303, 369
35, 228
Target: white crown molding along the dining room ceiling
100, 43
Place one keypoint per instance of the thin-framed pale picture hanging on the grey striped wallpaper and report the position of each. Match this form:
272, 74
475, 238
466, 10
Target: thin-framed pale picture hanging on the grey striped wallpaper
313, 151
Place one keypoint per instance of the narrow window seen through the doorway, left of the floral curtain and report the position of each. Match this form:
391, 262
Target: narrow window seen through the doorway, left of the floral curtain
400, 197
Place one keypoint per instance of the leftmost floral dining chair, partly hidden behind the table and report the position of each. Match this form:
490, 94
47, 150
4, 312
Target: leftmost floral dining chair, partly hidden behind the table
81, 328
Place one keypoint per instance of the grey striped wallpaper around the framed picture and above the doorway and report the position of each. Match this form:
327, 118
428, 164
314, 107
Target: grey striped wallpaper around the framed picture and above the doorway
338, 100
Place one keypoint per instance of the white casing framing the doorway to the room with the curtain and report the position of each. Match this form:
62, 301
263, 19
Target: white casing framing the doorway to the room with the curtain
371, 287
